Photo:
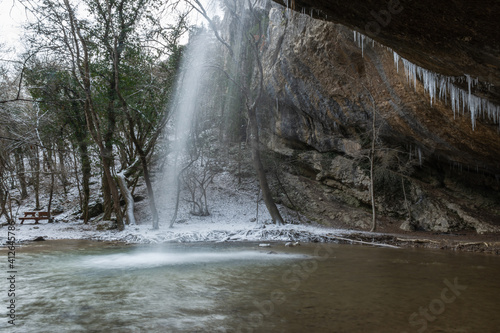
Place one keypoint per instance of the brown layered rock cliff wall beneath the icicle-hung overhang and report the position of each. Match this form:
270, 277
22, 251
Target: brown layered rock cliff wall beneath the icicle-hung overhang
432, 170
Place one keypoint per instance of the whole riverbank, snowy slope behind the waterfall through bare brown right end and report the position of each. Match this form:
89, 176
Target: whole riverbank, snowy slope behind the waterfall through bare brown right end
234, 216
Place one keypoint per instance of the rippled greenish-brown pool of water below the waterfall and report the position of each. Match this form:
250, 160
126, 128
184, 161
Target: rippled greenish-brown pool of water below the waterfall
71, 286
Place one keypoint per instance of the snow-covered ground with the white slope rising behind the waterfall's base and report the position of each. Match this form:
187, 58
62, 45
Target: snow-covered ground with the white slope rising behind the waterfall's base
234, 216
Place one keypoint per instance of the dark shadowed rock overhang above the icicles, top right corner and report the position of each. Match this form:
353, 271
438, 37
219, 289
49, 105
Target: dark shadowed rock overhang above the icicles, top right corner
449, 37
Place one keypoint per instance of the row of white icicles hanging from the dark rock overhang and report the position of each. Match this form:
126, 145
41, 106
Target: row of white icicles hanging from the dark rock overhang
442, 86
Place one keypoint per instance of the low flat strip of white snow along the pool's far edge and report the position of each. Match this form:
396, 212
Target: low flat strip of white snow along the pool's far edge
186, 232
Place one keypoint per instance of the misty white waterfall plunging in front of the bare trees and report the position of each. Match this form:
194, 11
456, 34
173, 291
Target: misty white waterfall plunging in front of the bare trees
216, 79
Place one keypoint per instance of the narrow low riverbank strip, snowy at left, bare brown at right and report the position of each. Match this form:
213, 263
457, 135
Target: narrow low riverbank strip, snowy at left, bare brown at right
201, 231
